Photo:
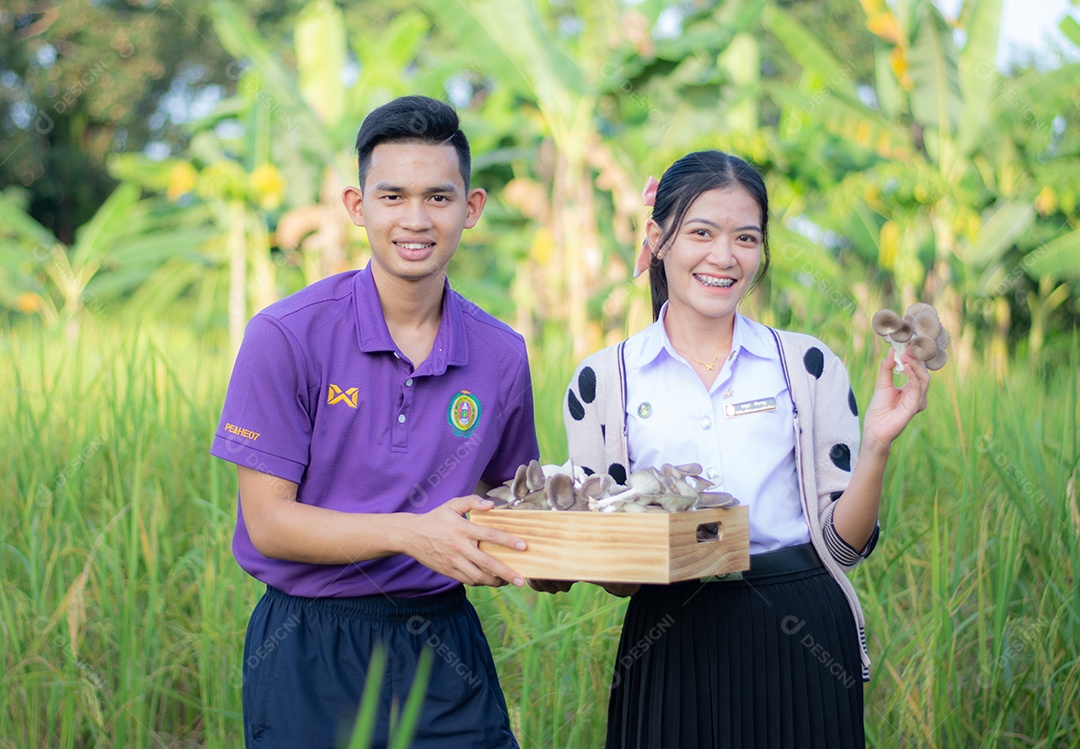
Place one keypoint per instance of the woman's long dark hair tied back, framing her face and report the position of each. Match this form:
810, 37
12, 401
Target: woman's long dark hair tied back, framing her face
682, 185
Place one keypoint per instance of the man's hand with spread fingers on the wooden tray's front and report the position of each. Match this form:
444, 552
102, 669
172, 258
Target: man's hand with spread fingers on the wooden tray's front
447, 542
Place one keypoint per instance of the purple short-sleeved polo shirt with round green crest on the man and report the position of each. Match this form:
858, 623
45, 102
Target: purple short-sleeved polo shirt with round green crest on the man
321, 397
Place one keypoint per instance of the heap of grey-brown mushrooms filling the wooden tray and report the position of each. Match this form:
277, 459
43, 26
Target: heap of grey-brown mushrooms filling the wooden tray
667, 489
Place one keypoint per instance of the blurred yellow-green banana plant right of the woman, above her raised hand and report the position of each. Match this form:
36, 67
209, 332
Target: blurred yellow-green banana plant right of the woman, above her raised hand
934, 178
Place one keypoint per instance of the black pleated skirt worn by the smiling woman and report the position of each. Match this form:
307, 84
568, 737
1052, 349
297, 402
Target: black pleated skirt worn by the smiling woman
766, 663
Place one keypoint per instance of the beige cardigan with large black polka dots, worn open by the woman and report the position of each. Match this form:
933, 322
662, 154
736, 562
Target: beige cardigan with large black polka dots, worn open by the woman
826, 420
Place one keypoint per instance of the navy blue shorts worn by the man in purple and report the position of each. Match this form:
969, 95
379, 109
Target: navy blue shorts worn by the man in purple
306, 661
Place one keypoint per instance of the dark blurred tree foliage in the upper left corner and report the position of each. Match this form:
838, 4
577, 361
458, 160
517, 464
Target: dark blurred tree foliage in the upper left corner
79, 81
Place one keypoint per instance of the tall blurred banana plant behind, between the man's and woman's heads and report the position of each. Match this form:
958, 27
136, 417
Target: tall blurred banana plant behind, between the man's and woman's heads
586, 99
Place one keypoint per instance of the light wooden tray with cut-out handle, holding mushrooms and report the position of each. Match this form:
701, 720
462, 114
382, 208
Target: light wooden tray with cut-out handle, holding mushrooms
622, 548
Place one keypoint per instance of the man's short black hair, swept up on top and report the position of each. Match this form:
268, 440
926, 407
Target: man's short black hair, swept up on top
417, 119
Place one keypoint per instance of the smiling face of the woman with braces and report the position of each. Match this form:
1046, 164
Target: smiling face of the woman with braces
712, 258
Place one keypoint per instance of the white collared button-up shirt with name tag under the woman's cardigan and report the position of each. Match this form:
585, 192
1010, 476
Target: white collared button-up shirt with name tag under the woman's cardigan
740, 430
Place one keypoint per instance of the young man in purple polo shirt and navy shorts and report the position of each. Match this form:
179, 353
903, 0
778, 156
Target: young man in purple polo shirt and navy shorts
364, 414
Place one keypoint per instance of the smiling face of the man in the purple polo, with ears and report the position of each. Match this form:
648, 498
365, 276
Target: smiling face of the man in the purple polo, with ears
414, 206
